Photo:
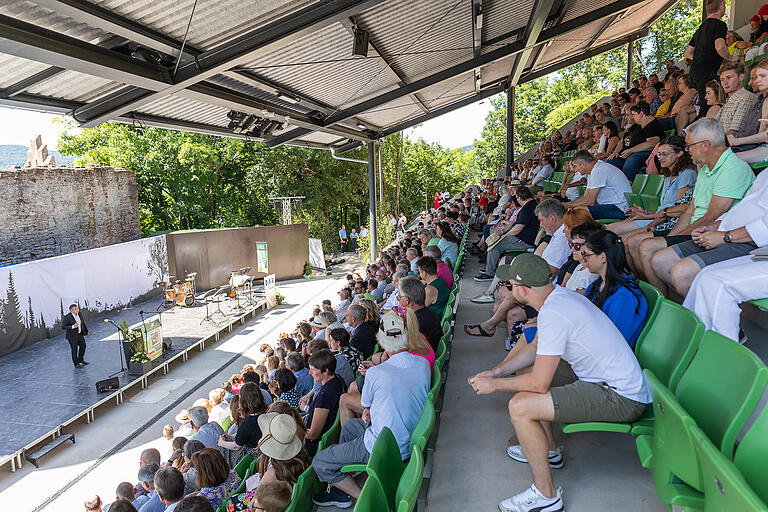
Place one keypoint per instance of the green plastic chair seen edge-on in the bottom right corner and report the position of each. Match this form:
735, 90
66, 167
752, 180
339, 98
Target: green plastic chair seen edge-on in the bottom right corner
724, 486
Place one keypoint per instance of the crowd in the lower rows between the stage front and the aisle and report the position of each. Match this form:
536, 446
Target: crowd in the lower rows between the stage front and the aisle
365, 357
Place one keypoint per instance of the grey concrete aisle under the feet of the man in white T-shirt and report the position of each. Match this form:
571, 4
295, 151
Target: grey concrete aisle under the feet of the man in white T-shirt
471, 468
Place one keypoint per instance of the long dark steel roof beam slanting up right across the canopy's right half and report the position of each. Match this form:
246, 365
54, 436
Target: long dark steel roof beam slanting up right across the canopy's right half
492, 56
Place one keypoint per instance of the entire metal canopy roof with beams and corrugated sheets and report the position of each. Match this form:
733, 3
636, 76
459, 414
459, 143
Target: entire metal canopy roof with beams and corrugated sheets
185, 64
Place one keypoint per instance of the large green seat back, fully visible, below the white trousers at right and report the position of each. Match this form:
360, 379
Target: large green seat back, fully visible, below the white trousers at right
721, 388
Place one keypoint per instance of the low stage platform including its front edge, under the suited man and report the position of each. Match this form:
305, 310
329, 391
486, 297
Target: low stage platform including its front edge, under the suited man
54, 394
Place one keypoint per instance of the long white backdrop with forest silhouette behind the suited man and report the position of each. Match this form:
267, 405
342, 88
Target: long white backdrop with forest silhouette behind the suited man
34, 296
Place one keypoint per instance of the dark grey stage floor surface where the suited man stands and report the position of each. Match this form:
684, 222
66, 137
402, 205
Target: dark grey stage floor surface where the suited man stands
42, 381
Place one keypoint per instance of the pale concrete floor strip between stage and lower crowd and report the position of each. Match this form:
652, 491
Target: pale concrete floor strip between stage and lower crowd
107, 450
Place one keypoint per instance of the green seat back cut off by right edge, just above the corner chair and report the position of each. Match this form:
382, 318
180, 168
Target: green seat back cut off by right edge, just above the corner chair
751, 454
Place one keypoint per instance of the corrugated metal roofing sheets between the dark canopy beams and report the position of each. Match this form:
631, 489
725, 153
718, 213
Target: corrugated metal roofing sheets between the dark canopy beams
419, 38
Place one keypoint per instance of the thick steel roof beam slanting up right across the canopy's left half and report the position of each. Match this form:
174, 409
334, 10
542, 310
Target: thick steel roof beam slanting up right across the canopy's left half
239, 52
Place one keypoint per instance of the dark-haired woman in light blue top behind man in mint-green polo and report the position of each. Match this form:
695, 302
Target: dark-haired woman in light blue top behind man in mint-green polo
679, 175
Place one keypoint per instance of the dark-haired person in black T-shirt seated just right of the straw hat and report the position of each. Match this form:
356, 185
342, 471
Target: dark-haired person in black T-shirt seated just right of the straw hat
325, 403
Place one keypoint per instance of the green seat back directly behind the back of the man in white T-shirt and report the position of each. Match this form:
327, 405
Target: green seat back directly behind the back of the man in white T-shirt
668, 342
